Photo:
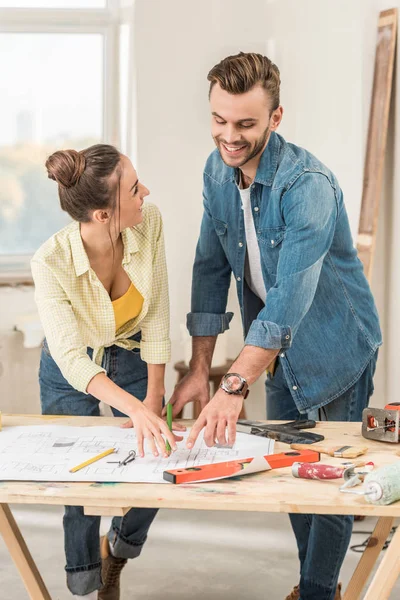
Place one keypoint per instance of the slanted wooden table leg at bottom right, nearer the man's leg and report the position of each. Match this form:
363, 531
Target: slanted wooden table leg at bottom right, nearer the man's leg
368, 558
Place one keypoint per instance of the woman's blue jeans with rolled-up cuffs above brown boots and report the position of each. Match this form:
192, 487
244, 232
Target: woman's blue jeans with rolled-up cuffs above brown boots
127, 534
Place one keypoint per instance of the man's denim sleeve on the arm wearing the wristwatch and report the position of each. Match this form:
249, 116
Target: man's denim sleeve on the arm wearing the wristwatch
310, 212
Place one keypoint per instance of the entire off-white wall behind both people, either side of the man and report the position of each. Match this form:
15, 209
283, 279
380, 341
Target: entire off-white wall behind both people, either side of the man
324, 49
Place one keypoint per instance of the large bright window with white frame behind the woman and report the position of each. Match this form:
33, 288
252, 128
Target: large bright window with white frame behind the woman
63, 84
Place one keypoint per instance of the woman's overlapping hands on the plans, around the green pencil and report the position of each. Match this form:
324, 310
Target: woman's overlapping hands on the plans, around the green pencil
148, 424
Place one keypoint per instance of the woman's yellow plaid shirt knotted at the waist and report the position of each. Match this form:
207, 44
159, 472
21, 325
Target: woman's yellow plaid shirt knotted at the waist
76, 311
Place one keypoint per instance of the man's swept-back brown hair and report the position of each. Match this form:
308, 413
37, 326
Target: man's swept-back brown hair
240, 73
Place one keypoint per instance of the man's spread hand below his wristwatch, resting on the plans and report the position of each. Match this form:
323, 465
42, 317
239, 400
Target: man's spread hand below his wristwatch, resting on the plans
221, 412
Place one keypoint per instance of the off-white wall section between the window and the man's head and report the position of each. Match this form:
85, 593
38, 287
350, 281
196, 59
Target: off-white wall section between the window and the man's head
177, 43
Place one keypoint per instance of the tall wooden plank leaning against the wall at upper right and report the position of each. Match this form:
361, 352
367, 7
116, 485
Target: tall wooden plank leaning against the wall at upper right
377, 137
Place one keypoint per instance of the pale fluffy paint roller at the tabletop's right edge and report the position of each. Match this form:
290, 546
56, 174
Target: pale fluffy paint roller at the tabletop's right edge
383, 486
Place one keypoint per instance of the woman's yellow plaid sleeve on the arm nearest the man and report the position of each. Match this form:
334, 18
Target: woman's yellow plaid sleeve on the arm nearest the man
155, 346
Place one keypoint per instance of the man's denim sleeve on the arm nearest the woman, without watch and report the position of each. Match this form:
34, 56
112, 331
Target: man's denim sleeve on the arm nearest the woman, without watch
210, 282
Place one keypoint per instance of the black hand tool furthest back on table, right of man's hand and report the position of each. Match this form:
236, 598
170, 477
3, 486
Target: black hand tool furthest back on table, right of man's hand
288, 433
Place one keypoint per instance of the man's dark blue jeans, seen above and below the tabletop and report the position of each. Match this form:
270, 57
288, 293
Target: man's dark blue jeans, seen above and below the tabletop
322, 540
